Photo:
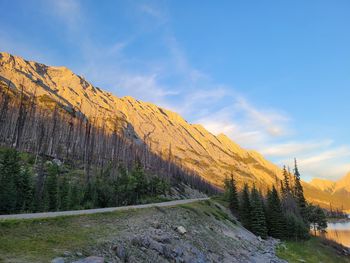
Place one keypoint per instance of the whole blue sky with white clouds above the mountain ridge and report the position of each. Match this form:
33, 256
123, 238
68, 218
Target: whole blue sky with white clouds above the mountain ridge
272, 75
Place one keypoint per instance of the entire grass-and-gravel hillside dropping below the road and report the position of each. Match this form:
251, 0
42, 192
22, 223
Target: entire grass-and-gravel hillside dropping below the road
209, 234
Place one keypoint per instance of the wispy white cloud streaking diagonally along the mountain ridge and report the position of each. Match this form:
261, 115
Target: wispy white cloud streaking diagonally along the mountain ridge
194, 93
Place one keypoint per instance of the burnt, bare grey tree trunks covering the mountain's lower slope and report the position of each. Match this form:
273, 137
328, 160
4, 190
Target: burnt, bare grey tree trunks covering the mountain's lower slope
51, 130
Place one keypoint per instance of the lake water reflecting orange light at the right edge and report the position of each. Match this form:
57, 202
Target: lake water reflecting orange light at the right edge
339, 232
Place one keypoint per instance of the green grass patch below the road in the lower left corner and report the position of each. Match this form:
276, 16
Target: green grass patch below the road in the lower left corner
41, 240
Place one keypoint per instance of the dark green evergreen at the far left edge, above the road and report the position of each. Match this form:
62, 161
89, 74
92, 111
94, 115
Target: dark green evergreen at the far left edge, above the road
9, 171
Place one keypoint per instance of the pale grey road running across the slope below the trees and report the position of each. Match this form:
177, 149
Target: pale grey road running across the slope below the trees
98, 210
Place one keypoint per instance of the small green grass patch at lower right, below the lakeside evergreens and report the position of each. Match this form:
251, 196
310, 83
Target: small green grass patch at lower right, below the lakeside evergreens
312, 250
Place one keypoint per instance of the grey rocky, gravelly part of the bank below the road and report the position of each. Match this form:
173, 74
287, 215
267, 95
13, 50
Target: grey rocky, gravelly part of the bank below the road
198, 232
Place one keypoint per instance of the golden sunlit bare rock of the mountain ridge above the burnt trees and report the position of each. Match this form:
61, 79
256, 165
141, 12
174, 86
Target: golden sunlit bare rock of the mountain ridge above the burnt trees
165, 132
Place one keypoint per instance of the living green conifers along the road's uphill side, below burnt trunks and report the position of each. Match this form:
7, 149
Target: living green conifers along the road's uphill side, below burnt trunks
62, 190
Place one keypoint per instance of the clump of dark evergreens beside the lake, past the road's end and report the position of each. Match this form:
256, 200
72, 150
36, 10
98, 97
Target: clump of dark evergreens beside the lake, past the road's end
281, 213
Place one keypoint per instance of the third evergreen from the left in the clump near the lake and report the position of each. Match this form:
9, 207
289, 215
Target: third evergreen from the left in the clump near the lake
258, 220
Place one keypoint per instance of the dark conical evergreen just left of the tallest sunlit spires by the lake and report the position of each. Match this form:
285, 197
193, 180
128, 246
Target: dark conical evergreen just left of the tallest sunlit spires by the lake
274, 214
